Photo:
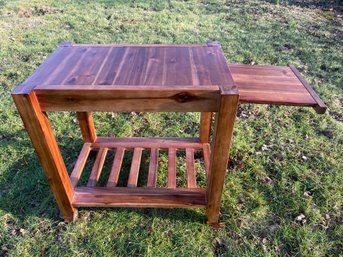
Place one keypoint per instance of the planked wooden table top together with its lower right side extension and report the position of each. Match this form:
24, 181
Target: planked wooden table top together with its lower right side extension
185, 67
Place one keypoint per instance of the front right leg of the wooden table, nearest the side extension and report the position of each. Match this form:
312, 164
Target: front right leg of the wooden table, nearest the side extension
225, 119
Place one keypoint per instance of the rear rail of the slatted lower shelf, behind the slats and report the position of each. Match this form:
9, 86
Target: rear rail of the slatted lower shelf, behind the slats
147, 142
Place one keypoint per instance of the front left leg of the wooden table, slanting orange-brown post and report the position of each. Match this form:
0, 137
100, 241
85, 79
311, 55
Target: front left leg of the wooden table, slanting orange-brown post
38, 127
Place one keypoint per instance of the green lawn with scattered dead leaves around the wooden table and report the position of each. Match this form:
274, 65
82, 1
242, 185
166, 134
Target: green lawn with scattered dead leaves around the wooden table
285, 161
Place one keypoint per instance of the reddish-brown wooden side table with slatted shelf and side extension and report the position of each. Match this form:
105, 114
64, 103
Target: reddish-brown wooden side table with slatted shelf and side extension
147, 78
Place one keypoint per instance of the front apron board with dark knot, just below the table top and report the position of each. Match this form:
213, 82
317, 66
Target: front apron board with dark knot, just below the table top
129, 99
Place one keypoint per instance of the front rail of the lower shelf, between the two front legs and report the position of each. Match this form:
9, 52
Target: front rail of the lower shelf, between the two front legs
139, 197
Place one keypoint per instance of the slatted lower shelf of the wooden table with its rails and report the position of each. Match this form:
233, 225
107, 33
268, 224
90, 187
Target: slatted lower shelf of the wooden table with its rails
149, 195
